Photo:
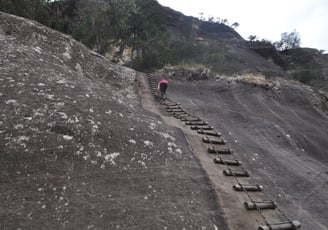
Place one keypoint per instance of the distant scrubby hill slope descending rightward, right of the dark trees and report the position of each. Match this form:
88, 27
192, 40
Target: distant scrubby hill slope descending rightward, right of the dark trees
214, 45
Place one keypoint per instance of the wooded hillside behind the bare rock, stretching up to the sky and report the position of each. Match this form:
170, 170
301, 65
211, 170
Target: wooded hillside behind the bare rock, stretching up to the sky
146, 36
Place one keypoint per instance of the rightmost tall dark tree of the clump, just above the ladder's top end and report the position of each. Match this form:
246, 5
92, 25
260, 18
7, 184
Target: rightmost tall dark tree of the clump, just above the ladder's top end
148, 39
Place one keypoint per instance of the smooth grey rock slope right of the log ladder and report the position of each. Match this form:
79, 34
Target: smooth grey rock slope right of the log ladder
279, 133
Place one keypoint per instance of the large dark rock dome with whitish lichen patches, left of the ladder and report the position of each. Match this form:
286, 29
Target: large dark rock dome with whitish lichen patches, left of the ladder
77, 150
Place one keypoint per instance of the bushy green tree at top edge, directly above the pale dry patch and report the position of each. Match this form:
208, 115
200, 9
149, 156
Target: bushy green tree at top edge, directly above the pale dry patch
103, 24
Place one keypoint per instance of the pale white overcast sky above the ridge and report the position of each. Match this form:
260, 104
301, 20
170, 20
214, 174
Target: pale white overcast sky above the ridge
266, 19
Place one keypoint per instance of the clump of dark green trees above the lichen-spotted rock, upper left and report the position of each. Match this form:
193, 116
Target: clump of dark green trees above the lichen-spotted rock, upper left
103, 25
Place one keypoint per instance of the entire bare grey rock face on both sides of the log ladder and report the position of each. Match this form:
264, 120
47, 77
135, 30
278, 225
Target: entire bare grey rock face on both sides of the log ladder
84, 144
